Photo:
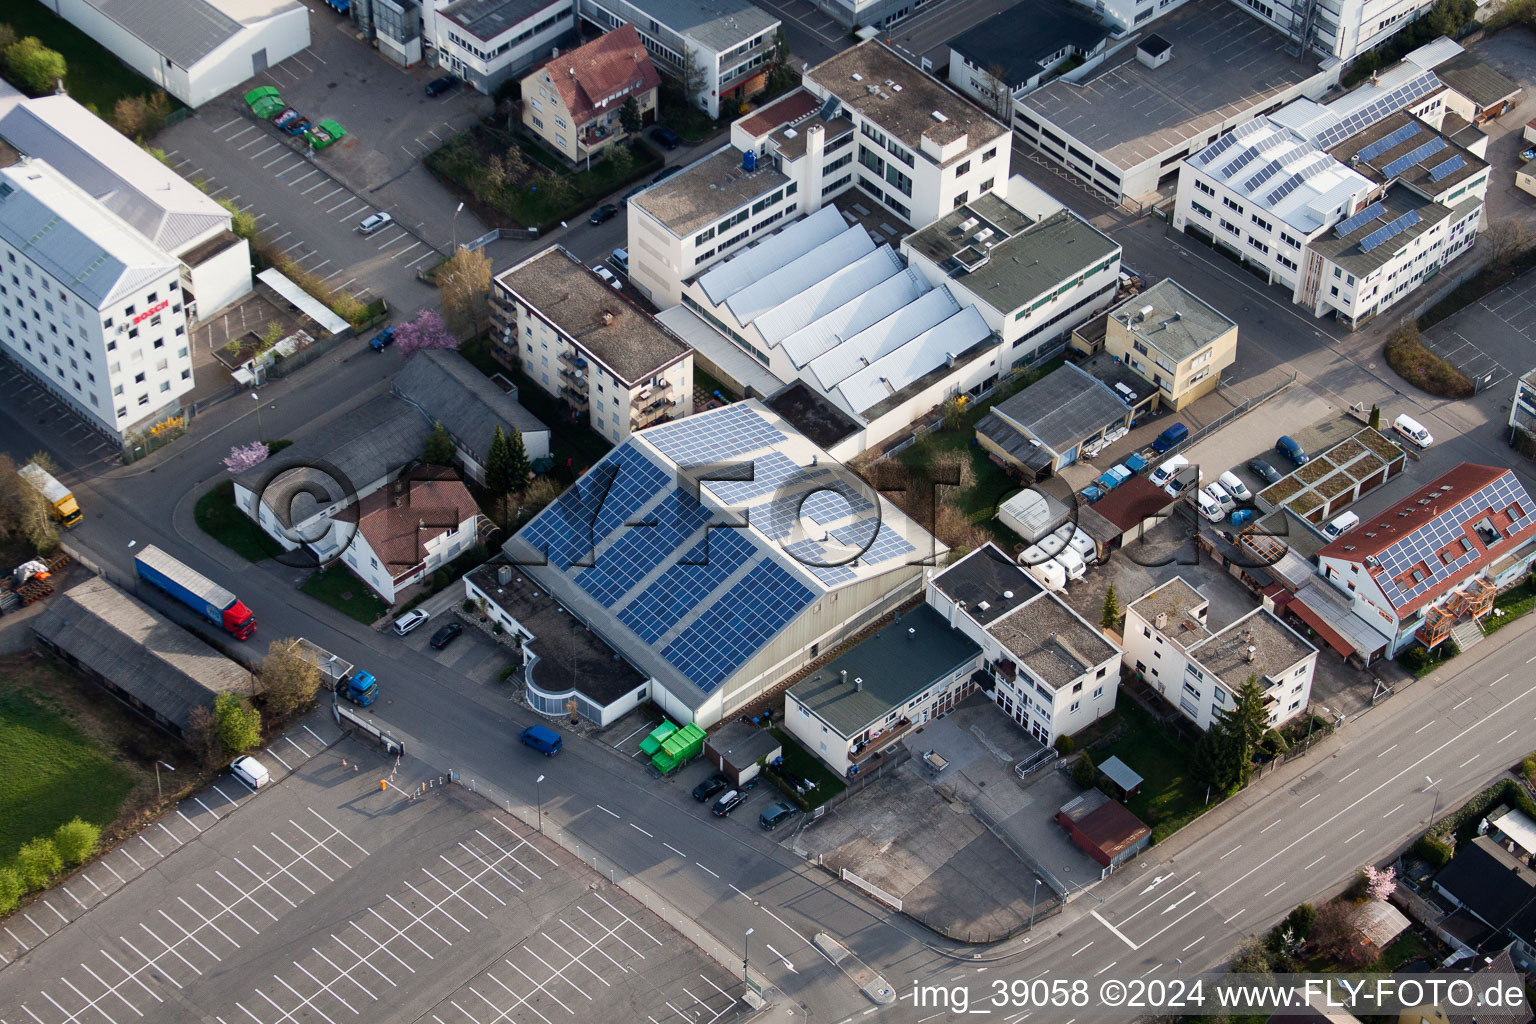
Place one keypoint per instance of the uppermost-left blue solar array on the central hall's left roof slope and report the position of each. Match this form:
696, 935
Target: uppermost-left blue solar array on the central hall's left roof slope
598, 504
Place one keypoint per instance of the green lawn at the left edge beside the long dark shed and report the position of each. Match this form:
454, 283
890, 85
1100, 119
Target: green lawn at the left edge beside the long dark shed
50, 770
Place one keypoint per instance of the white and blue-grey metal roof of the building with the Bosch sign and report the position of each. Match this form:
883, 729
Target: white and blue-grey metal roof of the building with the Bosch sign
68, 234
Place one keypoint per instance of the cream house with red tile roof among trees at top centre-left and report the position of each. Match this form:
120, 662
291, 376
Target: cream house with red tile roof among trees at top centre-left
574, 101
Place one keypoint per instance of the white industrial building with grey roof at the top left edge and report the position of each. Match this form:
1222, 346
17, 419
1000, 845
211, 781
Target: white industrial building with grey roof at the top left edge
194, 50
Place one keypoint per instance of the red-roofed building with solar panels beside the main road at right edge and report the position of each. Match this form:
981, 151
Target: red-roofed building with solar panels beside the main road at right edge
1435, 558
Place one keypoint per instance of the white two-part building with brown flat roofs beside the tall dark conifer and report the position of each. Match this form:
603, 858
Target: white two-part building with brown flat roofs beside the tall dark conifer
1200, 670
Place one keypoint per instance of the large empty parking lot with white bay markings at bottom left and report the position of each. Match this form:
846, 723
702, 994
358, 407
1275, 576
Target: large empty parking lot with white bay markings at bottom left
357, 887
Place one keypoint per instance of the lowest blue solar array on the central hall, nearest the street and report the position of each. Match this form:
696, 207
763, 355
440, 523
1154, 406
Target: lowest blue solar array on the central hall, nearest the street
738, 624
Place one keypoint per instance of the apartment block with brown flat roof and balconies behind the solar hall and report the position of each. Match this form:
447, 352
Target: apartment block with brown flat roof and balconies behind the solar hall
583, 342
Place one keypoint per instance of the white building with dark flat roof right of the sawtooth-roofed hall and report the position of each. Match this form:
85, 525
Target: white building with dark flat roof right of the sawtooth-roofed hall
1031, 279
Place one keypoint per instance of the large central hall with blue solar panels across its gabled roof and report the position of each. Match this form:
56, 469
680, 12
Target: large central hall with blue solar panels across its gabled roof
718, 555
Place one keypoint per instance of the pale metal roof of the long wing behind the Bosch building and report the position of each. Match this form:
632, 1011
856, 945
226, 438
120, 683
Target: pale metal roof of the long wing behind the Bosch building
168, 210
